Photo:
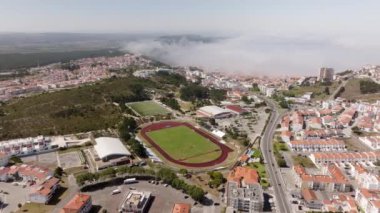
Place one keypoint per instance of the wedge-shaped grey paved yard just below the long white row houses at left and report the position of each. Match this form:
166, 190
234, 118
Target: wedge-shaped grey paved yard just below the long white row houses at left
48, 160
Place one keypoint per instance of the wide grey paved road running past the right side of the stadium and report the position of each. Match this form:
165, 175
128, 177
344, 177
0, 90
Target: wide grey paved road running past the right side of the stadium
281, 197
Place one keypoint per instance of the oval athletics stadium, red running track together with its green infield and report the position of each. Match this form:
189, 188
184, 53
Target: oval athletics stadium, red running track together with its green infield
183, 144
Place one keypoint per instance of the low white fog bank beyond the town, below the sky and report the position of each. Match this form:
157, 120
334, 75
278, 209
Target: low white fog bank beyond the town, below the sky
261, 55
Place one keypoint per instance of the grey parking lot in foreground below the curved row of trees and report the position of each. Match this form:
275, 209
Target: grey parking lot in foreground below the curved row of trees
164, 197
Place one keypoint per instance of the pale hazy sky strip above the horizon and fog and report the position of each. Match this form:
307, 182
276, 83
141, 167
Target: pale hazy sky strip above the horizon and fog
265, 16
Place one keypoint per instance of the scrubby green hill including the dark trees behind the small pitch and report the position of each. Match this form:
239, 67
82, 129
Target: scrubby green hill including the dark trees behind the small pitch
91, 107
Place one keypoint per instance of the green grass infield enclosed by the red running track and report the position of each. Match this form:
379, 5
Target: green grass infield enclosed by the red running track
182, 143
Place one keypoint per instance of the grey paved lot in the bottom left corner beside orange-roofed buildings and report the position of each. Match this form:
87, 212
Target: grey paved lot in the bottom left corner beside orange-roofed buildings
12, 195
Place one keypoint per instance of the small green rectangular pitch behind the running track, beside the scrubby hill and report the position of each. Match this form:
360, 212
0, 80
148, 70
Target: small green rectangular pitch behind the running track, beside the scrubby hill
148, 108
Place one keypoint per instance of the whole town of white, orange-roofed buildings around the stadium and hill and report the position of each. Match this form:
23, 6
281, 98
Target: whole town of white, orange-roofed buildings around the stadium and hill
268, 144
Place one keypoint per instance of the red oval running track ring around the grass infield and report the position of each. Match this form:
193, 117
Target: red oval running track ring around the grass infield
165, 124
